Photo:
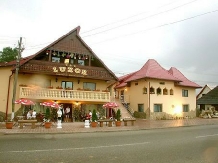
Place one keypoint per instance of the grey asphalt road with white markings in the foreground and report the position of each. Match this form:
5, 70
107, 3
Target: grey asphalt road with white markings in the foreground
196, 144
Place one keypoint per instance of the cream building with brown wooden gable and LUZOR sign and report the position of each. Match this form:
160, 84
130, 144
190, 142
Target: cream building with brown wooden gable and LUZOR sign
66, 71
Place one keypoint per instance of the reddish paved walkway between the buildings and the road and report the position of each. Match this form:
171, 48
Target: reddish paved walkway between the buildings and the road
77, 127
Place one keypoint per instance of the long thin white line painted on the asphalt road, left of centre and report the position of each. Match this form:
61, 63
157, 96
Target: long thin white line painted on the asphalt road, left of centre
68, 149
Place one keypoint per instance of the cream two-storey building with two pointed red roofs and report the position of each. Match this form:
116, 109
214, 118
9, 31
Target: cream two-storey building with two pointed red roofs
160, 93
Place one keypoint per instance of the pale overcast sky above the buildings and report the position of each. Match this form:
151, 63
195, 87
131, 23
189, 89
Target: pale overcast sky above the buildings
124, 34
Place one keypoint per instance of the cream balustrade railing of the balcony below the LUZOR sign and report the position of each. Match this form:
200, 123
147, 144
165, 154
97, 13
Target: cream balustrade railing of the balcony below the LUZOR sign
62, 94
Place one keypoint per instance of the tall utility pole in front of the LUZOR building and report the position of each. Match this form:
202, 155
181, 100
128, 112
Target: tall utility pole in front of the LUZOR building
16, 75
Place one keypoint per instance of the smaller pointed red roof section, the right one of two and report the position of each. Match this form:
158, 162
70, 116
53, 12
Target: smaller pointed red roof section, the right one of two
185, 82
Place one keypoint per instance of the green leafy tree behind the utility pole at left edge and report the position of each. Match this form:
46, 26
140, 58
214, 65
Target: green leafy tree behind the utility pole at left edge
8, 54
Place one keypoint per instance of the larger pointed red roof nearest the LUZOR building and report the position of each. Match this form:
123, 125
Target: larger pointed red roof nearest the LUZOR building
152, 69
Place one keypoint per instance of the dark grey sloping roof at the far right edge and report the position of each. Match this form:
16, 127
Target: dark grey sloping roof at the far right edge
211, 98
